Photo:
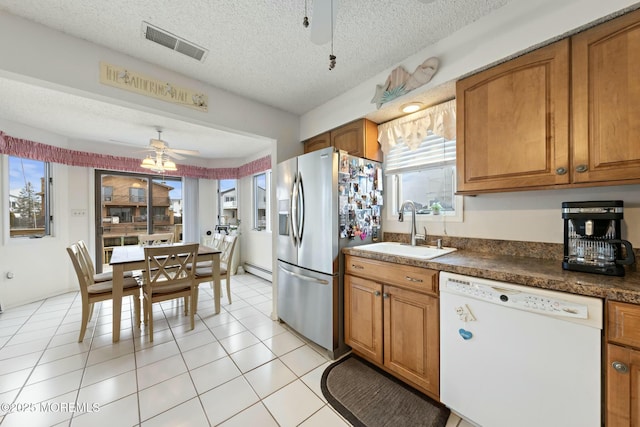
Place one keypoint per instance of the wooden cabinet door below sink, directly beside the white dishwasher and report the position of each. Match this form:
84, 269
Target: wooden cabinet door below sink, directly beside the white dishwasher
411, 336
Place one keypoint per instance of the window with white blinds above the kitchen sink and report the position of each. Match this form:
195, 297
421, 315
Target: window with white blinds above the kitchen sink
426, 176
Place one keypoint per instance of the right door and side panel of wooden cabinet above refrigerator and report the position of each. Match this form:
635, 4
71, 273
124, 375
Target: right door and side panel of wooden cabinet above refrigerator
358, 138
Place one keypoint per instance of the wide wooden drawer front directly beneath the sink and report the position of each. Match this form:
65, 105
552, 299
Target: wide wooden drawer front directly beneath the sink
406, 276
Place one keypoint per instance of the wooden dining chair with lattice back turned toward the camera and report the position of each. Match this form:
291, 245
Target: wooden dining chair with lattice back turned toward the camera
166, 276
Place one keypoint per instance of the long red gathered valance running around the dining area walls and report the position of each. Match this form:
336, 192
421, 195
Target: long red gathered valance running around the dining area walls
47, 153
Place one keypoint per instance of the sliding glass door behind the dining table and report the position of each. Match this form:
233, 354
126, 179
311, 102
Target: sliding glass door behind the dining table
128, 205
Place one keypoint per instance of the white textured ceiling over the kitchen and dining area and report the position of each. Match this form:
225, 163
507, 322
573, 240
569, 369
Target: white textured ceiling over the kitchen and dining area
257, 49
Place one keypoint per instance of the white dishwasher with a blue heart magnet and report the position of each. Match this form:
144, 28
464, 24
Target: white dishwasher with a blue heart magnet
514, 355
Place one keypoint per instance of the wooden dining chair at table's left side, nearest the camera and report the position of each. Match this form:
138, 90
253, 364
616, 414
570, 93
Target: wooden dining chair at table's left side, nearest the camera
92, 291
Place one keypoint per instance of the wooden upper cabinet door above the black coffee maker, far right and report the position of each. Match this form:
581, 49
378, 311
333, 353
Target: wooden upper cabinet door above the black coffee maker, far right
606, 101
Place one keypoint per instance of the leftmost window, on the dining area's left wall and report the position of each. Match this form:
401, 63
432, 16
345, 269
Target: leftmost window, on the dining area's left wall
29, 198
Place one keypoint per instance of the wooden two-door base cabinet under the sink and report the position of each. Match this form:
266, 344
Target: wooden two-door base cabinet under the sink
396, 328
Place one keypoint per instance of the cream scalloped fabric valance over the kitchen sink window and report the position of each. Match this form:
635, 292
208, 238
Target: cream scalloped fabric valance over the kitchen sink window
413, 128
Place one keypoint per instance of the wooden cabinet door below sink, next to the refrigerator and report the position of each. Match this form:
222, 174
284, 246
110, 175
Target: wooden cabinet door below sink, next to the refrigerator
363, 316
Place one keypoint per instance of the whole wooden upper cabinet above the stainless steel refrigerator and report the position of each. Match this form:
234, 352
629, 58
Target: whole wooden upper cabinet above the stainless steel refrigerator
358, 138
